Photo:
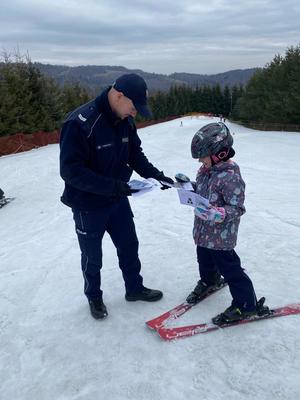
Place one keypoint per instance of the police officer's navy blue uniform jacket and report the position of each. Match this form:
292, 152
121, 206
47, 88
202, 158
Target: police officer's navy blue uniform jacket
97, 150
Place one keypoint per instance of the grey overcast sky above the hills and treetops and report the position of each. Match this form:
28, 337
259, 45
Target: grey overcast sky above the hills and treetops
163, 36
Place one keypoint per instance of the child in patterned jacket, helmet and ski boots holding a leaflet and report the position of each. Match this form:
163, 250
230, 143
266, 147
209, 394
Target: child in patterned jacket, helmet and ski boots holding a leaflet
216, 227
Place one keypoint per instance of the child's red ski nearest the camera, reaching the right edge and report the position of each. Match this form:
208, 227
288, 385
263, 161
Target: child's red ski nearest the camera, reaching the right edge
191, 330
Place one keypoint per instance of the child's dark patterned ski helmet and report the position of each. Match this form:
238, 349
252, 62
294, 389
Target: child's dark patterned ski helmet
210, 139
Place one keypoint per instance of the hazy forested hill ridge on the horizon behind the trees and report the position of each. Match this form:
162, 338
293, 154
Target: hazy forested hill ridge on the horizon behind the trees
96, 77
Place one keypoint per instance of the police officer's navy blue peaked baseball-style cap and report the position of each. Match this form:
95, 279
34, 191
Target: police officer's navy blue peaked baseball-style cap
134, 87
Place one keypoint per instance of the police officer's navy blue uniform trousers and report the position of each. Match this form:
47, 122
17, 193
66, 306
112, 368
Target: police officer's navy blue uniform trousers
117, 220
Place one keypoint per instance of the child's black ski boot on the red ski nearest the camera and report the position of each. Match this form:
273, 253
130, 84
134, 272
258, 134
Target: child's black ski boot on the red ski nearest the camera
234, 314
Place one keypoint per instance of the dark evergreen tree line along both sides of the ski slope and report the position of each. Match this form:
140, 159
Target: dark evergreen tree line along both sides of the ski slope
30, 101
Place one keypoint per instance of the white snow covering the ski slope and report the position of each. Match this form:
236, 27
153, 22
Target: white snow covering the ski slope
51, 348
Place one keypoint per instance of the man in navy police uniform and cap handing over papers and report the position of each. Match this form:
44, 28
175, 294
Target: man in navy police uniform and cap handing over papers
100, 149
